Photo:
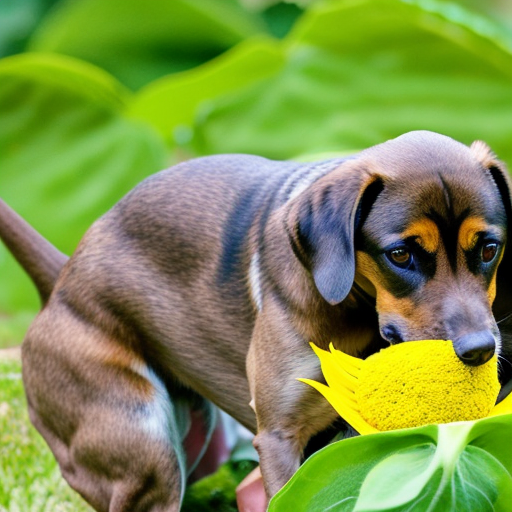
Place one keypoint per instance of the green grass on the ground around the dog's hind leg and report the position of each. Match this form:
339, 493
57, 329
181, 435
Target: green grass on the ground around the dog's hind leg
30, 479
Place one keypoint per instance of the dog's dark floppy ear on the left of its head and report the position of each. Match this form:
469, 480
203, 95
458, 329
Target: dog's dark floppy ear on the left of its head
321, 224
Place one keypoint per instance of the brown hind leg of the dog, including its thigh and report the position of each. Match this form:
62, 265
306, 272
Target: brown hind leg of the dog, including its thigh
107, 417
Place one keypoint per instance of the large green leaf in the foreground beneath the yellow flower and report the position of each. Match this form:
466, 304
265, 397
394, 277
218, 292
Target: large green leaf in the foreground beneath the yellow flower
463, 466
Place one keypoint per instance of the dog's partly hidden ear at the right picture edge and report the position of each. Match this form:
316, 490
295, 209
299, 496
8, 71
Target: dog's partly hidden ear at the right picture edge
503, 301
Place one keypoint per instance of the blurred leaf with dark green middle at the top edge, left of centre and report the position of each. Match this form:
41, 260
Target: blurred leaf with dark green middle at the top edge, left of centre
140, 41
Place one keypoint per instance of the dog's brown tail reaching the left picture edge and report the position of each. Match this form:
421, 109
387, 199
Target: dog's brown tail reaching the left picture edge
38, 257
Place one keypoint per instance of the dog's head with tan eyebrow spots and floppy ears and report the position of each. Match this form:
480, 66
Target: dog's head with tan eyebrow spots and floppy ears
420, 224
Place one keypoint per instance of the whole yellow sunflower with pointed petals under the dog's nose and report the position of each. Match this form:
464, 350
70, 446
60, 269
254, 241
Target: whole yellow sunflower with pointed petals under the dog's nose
408, 385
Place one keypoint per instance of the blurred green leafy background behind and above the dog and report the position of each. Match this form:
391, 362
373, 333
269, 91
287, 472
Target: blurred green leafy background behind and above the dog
97, 94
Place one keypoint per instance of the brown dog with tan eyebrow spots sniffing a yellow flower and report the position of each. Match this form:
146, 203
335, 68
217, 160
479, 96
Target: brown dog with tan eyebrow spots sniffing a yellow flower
207, 281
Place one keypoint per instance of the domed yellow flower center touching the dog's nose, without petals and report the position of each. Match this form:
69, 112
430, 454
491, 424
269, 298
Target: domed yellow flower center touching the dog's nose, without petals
422, 382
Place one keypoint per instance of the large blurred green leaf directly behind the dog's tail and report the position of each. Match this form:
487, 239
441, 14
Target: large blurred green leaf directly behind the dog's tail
67, 153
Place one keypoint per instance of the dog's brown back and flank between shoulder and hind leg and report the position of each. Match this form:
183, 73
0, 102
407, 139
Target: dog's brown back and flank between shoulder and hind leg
168, 265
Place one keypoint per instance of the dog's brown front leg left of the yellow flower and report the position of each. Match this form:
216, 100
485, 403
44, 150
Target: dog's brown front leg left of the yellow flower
288, 412
